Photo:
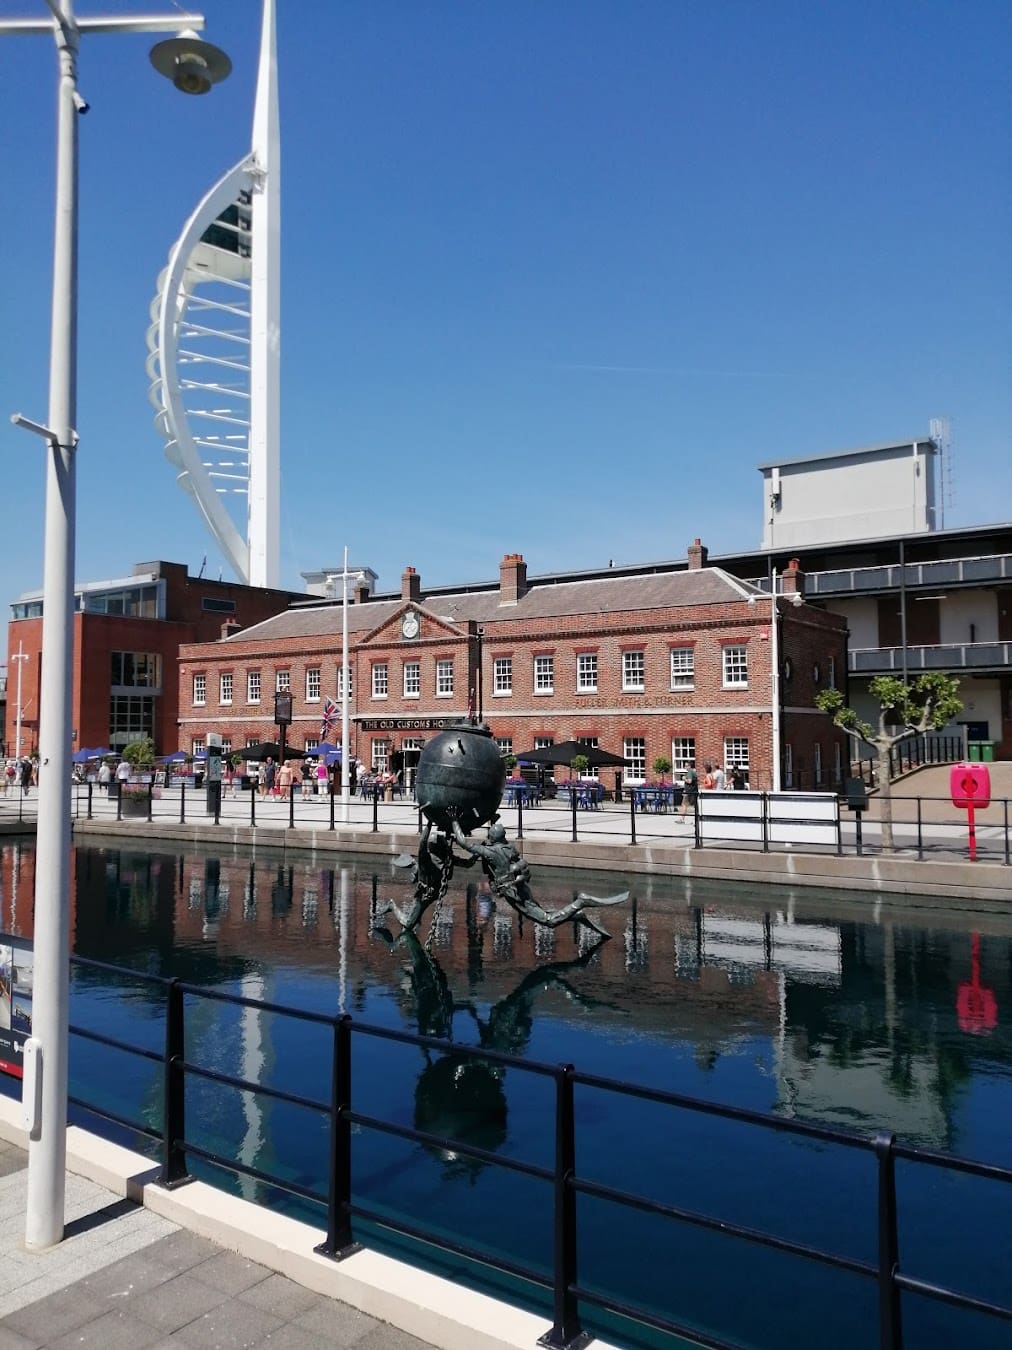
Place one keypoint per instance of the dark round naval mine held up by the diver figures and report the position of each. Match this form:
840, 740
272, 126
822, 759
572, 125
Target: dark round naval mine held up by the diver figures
461, 777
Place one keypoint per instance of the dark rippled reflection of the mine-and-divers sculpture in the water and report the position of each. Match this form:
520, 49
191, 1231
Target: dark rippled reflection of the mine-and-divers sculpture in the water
461, 1096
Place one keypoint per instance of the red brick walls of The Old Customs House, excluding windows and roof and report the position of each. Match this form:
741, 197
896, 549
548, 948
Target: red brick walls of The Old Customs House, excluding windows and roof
709, 712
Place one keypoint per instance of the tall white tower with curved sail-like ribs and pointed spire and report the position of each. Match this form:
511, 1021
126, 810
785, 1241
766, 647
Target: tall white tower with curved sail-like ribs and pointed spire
215, 346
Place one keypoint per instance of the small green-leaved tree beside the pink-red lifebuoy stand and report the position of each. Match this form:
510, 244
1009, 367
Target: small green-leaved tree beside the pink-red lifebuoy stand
926, 704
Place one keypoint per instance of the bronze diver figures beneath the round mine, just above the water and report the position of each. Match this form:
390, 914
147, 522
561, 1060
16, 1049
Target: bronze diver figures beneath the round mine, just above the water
508, 875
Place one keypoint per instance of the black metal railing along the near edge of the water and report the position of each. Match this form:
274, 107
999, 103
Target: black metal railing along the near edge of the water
563, 1182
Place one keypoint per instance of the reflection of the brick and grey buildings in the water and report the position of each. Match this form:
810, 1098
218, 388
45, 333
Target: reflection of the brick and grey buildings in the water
849, 1017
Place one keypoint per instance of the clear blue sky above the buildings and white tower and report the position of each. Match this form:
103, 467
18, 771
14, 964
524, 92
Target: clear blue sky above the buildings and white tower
558, 276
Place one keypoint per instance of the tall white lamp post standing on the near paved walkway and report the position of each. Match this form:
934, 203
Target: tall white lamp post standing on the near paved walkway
194, 67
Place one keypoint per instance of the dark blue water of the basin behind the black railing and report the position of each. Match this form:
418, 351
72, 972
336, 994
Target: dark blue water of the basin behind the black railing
822, 1009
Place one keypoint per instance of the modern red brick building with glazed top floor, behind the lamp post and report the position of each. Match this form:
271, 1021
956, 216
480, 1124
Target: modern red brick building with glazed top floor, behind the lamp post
128, 635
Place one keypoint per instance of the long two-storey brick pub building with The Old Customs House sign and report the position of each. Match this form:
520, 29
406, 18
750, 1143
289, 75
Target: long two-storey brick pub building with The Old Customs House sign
675, 664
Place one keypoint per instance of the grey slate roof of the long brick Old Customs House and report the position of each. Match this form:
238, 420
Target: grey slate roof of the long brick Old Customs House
543, 600
